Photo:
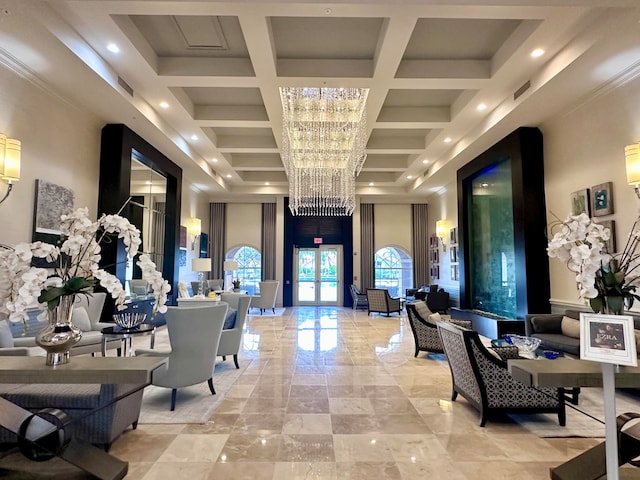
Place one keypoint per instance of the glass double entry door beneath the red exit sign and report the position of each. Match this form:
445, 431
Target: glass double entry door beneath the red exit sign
318, 276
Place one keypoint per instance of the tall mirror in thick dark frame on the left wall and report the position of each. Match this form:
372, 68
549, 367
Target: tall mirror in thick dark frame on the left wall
147, 211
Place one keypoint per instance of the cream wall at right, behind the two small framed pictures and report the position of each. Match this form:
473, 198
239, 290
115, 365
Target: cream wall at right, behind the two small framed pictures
583, 148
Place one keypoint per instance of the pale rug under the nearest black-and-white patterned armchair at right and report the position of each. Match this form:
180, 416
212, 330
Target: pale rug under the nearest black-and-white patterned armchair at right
545, 425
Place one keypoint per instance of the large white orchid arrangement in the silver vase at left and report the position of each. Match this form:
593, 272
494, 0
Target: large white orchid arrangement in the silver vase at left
76, 271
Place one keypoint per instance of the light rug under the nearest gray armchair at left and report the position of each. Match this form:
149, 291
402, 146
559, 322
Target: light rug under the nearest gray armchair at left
194, 404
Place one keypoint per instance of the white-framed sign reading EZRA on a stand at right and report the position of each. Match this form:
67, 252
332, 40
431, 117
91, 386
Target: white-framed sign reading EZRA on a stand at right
608, 339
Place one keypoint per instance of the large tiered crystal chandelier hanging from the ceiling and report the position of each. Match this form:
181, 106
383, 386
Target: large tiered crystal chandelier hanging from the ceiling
323, 147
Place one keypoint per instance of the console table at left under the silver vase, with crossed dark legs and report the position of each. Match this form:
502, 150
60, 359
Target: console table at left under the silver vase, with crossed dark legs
91, 370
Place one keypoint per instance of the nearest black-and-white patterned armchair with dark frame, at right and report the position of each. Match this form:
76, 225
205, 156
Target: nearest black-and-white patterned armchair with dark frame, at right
483, 379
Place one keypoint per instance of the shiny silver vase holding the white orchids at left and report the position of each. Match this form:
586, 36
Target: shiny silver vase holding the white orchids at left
60, 335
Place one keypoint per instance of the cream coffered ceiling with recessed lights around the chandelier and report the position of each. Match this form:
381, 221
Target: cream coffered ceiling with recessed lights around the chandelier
447, 79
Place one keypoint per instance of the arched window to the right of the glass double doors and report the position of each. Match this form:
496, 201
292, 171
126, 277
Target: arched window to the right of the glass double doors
394, 270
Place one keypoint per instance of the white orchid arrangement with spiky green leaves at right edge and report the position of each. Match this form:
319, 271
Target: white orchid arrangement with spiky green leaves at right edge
607, 281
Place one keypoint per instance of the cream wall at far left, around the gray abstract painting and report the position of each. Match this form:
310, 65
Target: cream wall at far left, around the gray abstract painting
60, 144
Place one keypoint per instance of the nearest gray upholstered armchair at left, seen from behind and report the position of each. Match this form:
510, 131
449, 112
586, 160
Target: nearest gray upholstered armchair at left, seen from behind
194, 334
